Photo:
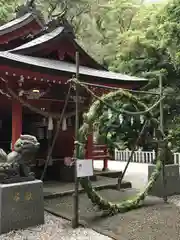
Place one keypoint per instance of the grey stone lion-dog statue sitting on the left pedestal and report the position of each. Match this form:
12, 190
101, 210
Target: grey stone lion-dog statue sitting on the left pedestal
14, 167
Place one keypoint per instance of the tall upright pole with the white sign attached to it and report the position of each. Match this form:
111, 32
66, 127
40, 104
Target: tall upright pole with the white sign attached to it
75, 219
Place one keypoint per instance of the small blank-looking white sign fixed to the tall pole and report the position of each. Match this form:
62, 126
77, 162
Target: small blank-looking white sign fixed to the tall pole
84, 168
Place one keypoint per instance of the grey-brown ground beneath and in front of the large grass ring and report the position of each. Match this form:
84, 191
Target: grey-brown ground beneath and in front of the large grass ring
155, 219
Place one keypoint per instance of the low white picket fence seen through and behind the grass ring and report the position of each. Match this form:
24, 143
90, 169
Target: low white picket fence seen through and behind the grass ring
141, 156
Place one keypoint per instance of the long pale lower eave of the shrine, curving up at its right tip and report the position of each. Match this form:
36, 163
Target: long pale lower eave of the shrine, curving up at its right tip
30, 63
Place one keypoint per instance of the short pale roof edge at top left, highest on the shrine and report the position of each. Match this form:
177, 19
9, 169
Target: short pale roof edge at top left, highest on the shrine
16, 23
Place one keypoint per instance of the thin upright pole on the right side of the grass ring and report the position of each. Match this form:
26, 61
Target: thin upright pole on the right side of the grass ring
162, 129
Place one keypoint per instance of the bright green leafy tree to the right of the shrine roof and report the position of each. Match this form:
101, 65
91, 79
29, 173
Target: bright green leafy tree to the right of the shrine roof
150, 48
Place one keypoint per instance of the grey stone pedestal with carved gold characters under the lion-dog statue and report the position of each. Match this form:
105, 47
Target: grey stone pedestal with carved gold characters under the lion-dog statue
21, 205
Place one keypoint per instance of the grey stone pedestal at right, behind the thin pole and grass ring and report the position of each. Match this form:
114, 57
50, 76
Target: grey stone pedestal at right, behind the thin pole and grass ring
172, 179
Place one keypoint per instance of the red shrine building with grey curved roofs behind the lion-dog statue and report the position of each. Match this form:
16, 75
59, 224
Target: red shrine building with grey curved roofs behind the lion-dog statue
36, 62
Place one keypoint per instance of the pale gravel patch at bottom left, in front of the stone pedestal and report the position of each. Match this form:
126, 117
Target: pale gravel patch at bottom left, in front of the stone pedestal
54, 229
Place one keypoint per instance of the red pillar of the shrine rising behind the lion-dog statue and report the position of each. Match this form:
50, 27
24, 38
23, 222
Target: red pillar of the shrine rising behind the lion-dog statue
16, 121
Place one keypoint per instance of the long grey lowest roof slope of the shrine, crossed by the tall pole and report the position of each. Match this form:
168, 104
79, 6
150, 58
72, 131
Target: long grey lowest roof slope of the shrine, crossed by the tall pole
56, 67
